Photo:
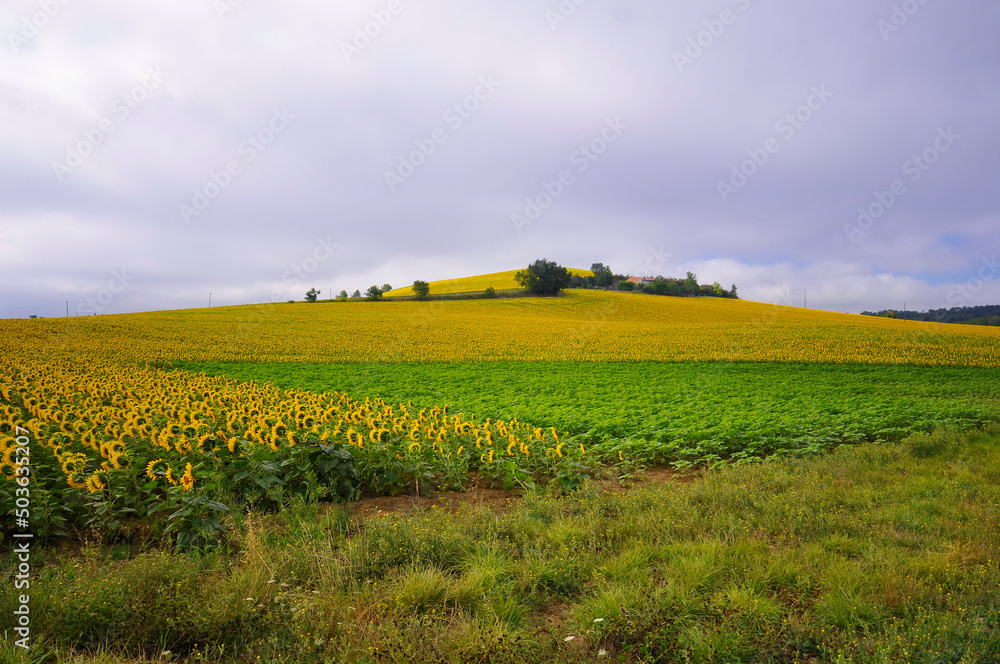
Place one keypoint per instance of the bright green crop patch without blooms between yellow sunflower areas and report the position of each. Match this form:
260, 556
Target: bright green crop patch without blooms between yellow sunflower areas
688, 414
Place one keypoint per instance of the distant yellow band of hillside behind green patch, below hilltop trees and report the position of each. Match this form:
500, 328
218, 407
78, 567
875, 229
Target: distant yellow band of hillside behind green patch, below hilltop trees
581, 325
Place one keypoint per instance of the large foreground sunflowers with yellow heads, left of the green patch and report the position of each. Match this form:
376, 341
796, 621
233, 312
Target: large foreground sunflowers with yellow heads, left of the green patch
103, 434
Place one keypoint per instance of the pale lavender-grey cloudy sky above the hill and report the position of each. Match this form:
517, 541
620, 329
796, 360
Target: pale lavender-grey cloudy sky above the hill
154, 153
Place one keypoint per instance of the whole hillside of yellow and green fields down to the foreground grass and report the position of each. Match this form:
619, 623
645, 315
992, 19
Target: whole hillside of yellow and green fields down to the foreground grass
786, 550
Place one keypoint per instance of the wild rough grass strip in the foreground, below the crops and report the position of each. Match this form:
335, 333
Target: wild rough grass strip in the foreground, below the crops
873, 553
